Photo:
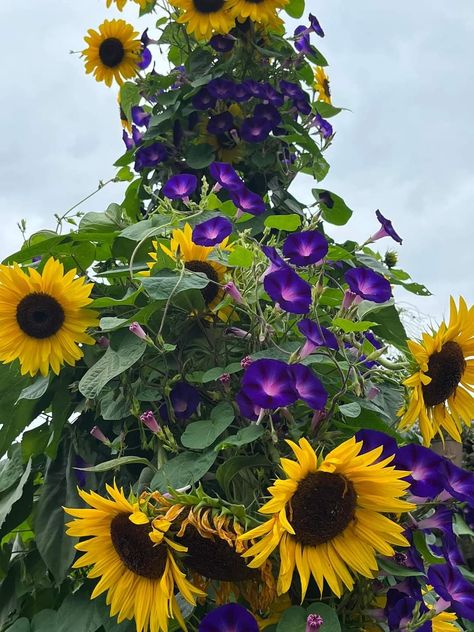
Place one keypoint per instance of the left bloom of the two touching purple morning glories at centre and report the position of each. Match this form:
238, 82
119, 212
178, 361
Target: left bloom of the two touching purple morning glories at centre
269, 384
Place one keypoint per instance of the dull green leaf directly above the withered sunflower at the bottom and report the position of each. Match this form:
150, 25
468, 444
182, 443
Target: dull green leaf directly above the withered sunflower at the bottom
185, 469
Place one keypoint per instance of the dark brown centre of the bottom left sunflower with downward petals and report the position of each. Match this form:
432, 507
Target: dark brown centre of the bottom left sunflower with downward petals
135, 549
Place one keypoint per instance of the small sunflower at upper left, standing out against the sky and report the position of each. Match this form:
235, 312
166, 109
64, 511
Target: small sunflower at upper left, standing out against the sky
113, 53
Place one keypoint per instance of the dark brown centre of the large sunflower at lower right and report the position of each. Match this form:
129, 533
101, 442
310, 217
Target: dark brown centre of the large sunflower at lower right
322, 507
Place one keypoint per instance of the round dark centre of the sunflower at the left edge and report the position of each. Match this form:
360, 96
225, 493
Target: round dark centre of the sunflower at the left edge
39, 315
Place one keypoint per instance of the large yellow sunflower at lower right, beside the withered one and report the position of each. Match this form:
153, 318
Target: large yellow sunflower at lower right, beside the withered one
327, 518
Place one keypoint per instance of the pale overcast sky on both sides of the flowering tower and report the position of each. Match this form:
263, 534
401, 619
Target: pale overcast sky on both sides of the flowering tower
404, 69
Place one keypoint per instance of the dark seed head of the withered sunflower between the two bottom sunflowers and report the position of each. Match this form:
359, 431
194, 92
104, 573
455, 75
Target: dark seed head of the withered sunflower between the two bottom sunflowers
214, 558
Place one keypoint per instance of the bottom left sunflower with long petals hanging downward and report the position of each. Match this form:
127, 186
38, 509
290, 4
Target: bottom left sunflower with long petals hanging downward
139, 574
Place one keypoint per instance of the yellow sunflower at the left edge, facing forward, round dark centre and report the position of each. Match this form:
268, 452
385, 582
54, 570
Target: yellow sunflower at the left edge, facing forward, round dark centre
42, 317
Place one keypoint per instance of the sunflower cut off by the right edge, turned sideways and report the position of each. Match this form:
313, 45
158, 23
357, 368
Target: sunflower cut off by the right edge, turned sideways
440, 390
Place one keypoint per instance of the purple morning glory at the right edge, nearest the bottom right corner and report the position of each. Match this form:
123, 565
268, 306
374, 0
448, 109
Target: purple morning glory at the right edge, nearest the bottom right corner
455, 591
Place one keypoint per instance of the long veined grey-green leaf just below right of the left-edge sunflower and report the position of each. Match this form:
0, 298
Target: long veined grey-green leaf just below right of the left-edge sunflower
112, 363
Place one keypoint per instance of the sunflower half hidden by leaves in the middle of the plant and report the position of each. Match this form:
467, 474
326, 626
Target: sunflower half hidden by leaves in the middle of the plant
196, 259
